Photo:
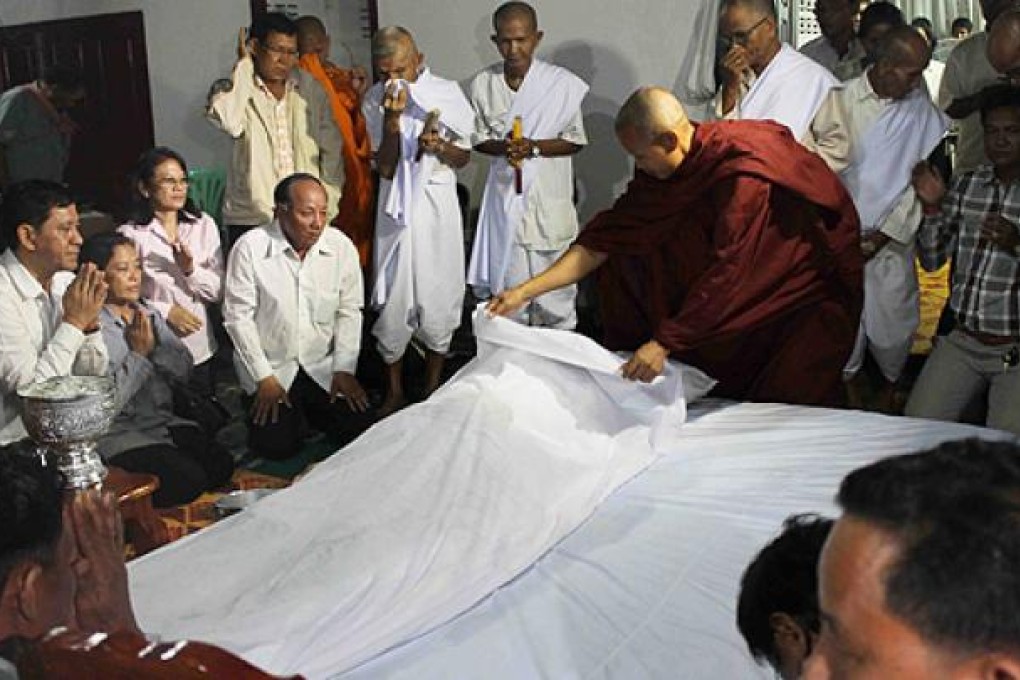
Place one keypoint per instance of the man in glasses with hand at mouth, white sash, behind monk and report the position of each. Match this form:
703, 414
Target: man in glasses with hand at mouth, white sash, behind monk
762, 78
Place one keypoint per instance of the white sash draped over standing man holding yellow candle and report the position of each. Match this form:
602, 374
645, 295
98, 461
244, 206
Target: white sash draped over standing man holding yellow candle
547, 101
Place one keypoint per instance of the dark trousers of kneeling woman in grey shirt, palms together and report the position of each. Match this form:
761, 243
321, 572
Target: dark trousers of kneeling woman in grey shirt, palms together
193, 464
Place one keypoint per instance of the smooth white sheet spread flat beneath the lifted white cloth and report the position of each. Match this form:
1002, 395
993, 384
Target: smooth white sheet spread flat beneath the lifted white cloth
647, 588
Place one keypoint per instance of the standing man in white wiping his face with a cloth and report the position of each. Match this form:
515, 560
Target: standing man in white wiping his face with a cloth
420, 127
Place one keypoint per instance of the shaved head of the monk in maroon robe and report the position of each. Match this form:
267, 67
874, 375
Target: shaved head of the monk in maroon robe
653, 127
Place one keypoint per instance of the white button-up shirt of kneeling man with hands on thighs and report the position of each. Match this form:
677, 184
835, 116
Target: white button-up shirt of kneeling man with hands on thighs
284, 313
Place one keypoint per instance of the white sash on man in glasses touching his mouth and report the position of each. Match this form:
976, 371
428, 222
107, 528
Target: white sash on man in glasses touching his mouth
790, 91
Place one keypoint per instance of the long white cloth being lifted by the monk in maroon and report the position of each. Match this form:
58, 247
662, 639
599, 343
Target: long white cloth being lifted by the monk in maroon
426, 514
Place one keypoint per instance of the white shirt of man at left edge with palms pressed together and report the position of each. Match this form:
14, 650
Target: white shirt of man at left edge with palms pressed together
36, 343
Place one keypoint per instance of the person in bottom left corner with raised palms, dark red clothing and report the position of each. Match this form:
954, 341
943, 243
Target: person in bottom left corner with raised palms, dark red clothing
65, 605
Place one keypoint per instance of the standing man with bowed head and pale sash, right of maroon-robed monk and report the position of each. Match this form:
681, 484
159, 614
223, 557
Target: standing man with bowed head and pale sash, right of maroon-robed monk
873, 133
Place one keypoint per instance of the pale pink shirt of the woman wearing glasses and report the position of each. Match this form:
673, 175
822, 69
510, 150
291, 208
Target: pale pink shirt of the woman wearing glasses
166, 285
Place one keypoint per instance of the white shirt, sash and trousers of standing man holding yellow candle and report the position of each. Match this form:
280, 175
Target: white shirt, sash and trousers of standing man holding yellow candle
543, 220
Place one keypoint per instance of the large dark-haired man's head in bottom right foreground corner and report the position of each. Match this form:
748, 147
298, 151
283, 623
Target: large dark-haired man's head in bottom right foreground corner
919, 579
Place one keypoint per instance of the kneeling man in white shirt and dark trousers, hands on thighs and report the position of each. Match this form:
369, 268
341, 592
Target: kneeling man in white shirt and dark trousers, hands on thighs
293, 309
